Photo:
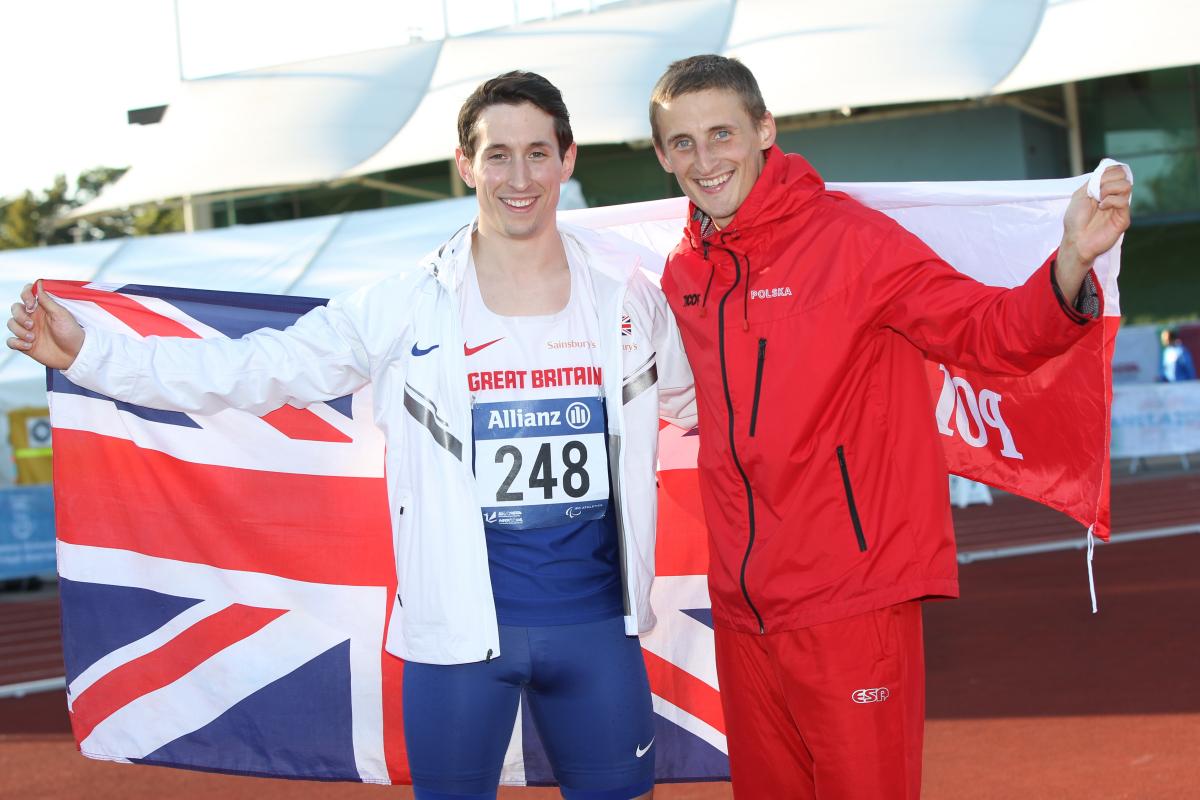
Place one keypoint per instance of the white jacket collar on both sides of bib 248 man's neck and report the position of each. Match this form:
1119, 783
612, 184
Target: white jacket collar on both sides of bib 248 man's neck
609, 255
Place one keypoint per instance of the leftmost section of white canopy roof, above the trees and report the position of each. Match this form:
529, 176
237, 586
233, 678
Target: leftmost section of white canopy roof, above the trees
289, 125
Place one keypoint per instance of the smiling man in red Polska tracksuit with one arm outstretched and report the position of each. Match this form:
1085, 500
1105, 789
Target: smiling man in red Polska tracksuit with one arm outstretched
807, 318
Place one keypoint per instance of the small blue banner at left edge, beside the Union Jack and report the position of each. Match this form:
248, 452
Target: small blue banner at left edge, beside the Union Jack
27, 532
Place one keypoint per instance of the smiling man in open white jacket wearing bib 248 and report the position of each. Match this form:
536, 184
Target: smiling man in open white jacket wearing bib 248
519, 375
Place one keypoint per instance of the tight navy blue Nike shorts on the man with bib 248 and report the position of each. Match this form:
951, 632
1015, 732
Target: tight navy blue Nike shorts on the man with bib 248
586, 691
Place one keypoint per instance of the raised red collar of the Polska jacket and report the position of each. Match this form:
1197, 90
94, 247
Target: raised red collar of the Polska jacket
787, 185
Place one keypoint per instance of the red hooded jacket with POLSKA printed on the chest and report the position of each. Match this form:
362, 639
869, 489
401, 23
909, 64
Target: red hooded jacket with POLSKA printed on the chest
807, 322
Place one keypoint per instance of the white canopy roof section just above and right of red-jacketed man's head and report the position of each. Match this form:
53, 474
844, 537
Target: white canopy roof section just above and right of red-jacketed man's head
814, 56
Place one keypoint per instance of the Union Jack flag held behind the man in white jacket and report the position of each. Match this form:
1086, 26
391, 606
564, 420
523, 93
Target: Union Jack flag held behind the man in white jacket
226, 580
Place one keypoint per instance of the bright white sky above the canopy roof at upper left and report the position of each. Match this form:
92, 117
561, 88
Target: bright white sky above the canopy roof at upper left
74, 68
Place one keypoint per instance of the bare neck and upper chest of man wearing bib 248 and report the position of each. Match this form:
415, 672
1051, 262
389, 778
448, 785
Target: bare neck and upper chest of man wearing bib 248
523, 278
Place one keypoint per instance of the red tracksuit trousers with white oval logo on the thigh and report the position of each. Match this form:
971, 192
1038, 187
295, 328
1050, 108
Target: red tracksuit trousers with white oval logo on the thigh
835, 712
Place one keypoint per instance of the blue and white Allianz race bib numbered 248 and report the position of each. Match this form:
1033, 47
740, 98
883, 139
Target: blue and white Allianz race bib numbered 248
542, 462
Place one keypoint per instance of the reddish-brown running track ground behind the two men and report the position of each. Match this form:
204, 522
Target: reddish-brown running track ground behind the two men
1030, 695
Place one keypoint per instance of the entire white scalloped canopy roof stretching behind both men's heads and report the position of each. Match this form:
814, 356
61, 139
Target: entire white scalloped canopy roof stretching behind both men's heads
341, 118
